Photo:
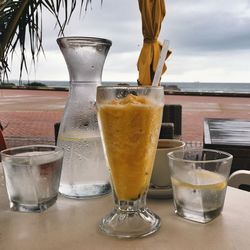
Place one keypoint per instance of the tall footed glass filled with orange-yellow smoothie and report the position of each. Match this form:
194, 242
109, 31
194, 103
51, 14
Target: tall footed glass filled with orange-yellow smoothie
129, 119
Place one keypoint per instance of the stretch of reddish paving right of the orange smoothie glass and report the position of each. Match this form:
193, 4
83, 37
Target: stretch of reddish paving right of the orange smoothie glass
196, 108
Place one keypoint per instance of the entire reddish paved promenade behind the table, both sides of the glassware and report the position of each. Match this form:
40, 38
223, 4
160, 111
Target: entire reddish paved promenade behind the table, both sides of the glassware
29, 115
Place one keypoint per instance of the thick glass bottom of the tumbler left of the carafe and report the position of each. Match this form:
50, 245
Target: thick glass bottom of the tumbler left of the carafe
40, 207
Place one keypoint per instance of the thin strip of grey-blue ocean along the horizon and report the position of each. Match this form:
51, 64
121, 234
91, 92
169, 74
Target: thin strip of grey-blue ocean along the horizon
196, 87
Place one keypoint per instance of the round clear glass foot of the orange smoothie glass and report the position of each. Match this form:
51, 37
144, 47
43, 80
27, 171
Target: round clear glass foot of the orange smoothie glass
130, 224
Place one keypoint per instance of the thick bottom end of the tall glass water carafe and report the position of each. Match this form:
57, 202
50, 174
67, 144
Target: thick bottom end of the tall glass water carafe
84, 191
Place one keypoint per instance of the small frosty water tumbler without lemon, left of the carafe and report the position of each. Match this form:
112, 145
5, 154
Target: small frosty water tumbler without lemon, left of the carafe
32, 176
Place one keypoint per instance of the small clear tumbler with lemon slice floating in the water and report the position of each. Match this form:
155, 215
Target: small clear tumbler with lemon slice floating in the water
199, 179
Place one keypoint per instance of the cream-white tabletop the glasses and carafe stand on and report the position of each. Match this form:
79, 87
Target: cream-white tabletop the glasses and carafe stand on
73, 224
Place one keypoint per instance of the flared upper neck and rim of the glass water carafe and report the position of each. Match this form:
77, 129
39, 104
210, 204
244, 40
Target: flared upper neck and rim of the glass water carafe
85, 57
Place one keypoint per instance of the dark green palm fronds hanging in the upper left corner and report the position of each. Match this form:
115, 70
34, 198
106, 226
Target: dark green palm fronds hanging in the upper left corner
20, 19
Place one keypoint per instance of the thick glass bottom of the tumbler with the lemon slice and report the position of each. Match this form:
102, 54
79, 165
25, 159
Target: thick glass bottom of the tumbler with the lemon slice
201, 217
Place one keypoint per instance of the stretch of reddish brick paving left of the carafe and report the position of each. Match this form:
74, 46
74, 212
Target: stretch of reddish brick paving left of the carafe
30, 115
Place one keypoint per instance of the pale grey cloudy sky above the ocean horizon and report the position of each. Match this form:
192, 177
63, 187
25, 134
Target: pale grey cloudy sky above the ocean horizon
210, 41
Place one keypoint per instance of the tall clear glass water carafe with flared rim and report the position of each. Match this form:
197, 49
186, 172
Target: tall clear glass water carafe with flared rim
84, 173
